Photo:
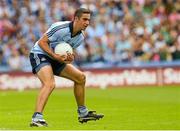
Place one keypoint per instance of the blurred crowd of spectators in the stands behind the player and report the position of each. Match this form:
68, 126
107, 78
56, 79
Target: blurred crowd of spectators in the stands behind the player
120, 31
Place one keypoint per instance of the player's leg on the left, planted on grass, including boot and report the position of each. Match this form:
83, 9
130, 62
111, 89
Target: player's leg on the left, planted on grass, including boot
45, 74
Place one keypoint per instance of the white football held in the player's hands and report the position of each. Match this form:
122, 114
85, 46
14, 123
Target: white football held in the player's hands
63, 48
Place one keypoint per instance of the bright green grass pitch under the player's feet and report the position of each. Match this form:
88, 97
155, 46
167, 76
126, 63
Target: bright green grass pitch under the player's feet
129, 108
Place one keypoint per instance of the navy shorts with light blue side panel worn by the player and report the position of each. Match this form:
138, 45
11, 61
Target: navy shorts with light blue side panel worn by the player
40, 60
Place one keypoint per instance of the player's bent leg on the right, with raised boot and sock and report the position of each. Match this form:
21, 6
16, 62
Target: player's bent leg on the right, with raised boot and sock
72, 73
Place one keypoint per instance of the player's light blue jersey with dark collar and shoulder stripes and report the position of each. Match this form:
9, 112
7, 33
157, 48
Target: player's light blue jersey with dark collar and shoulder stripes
58, 32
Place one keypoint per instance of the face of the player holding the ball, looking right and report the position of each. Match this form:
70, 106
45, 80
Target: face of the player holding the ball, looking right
83, 21
